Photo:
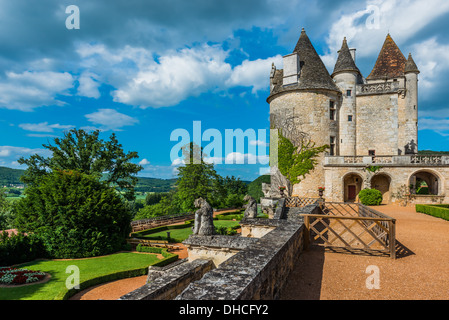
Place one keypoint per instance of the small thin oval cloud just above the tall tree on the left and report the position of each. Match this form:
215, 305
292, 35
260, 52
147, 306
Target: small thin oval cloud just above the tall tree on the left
110, 119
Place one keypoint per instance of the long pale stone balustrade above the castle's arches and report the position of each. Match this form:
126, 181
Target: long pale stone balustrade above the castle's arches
392, 161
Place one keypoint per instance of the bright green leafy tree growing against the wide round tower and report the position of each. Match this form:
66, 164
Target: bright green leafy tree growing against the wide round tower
295, 162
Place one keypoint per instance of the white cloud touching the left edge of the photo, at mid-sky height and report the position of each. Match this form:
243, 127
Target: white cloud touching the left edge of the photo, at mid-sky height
28, 90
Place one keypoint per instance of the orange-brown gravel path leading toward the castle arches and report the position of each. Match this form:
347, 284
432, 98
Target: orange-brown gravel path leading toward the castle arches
419, 273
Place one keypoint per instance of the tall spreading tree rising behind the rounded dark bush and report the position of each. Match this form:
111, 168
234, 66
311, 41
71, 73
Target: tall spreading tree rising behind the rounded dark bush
86, 153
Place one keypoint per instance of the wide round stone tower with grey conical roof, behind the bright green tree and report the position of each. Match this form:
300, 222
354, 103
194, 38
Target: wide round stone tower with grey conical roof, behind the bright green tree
304, 103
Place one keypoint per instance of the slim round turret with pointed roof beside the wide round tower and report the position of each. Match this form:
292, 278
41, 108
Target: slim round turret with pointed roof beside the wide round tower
345, 76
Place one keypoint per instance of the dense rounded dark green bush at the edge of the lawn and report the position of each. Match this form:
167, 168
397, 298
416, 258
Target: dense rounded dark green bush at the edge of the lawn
74, 214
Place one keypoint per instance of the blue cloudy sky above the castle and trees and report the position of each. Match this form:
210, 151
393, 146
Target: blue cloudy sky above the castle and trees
146, 70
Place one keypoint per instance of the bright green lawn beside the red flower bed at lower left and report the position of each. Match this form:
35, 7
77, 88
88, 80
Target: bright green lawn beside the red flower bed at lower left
89, 269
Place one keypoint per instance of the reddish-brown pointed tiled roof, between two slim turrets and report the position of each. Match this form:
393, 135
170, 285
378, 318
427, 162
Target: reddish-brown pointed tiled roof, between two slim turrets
390, 63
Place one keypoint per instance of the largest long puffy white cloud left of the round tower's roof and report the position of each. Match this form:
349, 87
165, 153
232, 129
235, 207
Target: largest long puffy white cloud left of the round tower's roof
142, 81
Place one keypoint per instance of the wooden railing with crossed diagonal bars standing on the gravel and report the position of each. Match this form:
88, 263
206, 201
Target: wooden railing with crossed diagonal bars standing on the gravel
352, 228
